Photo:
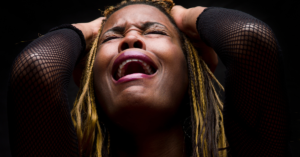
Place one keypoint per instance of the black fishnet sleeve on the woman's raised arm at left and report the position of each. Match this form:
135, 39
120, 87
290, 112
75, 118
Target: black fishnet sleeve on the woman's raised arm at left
39, 117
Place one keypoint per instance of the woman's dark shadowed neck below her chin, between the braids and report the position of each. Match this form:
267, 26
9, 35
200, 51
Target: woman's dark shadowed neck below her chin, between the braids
168, 142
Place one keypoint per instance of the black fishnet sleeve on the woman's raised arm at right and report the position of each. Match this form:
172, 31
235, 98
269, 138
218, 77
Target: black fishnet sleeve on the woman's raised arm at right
255, 111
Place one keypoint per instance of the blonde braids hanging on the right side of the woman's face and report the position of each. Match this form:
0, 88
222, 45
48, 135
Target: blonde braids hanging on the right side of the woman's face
200, 101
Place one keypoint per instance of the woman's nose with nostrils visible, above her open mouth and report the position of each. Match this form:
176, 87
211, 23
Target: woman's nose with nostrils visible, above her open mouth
132, 41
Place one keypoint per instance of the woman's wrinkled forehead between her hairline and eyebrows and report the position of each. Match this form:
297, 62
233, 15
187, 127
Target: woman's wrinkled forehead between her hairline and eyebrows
137, 14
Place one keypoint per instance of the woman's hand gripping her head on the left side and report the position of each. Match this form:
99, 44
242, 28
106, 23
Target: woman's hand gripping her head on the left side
90, 30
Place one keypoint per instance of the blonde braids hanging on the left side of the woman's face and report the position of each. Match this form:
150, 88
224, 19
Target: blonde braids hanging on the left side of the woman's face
84, 113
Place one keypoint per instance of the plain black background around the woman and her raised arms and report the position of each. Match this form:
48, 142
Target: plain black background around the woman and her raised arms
24, 20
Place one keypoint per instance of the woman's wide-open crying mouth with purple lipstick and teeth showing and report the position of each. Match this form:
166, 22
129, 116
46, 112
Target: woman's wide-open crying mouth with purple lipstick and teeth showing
132, 64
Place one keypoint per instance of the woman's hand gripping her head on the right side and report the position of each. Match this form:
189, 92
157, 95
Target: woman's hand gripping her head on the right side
186, 19
